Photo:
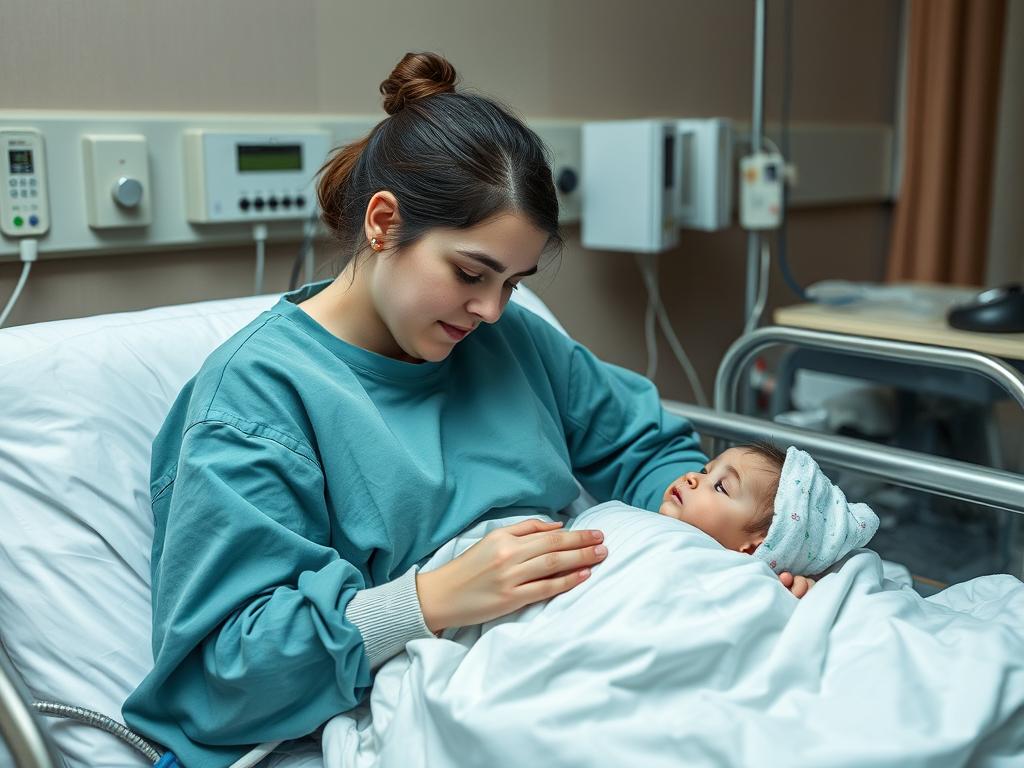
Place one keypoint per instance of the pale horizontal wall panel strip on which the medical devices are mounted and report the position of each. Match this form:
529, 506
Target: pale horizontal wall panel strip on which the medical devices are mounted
838, 164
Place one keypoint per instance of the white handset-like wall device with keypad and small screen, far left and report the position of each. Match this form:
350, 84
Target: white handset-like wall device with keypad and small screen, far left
25, 210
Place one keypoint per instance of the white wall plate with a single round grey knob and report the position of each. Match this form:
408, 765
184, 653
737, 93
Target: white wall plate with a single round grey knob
117, 181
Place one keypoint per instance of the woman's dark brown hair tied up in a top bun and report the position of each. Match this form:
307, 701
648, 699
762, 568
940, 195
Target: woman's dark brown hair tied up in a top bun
451, 159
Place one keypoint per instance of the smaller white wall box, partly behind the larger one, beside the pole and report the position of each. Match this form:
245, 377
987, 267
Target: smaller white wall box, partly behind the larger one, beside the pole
705, 200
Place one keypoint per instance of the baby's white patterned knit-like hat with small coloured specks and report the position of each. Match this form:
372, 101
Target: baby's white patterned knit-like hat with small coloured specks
815, 526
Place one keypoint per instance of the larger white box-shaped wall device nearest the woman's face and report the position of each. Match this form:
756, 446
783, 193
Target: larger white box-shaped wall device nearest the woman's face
630, 186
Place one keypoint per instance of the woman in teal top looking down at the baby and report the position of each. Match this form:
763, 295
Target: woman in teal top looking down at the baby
340, 439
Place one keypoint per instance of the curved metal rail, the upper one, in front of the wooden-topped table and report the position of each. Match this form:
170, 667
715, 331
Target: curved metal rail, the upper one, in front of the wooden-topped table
740, 356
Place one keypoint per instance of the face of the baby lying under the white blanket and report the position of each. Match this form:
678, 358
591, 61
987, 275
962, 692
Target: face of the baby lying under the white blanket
723, 499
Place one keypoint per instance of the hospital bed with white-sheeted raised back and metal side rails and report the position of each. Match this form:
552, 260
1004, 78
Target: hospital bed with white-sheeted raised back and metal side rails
82, 401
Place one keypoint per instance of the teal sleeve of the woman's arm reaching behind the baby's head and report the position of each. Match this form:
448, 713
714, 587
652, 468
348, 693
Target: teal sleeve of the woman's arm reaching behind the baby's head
623, 444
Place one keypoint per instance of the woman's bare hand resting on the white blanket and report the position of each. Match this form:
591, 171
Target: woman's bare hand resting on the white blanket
510, 568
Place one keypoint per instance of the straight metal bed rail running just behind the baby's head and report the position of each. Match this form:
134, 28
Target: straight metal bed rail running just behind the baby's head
969, 483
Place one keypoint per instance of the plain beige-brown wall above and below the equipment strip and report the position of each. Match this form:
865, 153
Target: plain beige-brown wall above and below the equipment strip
593, 59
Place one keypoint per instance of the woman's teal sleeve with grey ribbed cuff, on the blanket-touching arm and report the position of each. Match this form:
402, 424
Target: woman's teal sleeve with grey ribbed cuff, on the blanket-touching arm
251, 639
